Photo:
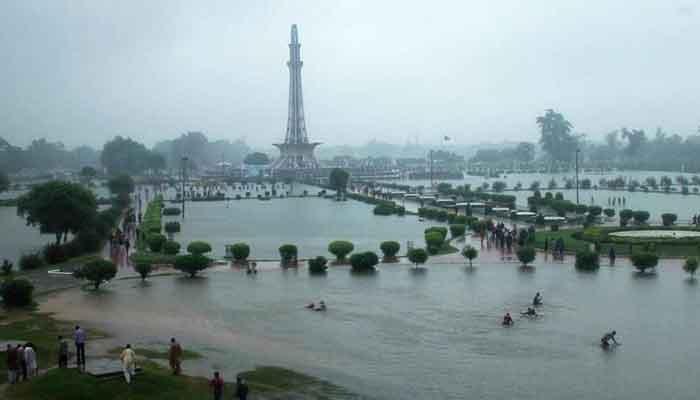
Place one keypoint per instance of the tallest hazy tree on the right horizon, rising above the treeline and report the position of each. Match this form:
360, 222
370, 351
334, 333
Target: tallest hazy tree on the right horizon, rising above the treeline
556, 138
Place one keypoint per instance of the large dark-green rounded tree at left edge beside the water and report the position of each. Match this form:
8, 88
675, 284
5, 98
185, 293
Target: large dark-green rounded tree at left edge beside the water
58, 208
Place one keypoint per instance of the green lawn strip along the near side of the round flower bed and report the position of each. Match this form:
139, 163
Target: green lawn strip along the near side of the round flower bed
572, 244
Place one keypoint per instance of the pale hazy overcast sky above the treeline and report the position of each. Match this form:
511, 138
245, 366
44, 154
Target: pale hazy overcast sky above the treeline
479, 71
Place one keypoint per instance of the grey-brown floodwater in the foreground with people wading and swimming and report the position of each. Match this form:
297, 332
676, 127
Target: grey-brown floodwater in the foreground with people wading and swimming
401, 334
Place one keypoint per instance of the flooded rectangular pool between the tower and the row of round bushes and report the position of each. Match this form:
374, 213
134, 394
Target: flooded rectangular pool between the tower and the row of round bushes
309, 223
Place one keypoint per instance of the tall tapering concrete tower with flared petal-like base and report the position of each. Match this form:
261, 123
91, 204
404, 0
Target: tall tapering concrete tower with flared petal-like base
296, 153
